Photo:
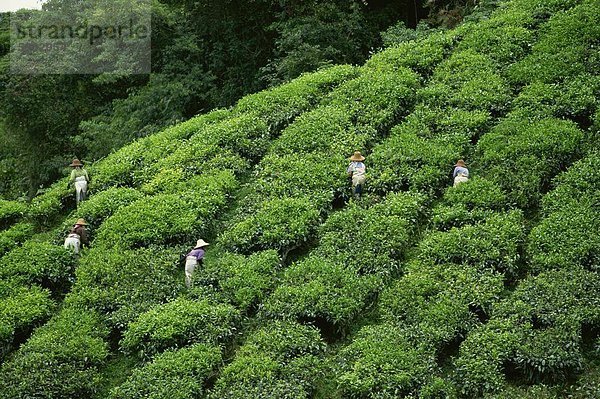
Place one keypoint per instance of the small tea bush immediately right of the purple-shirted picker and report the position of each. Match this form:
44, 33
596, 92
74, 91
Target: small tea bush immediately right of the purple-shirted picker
245, 280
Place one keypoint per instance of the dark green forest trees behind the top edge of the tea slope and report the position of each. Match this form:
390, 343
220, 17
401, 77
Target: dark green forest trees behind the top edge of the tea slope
204, 55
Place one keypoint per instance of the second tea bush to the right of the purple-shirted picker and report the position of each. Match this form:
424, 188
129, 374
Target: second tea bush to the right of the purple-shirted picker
316, 288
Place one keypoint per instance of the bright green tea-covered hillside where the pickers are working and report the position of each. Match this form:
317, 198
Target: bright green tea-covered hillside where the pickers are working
490, 289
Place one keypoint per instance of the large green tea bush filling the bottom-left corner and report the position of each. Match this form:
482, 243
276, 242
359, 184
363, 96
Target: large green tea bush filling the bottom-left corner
60, 360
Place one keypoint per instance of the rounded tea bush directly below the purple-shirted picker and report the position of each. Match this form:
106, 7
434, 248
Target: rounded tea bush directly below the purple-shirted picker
180, 323
